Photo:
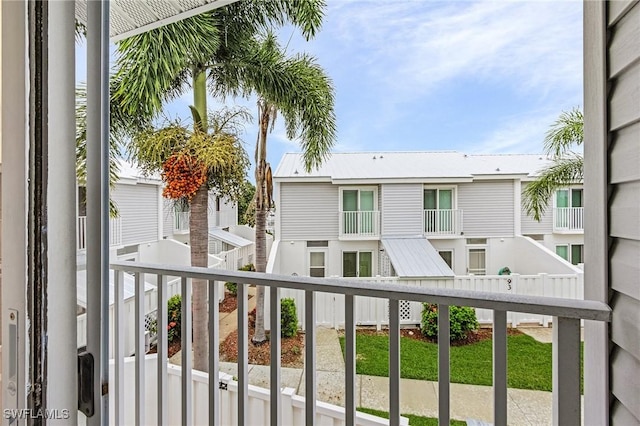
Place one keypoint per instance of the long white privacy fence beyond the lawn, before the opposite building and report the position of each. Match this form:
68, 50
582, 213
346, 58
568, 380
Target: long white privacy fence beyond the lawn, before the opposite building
375, 312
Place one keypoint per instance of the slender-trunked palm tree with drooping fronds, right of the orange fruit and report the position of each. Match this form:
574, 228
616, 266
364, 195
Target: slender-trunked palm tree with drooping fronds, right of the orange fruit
303, 95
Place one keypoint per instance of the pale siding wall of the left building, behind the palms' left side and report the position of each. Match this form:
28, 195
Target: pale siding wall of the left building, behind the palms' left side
138, 207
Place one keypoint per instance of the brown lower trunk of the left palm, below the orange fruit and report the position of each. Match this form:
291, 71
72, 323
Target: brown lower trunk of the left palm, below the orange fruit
199, 238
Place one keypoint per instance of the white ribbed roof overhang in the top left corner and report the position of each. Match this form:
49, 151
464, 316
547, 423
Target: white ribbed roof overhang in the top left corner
130, 17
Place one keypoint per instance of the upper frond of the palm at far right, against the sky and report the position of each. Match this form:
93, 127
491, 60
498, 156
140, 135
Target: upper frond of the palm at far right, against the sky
568, 130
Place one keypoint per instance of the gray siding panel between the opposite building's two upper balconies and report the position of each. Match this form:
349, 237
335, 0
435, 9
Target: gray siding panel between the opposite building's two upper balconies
402, 209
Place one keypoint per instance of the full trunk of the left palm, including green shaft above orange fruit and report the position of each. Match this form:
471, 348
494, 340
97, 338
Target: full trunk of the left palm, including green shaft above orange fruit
199, 240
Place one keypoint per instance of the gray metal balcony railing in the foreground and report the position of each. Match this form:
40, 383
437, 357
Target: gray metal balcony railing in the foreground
566, 340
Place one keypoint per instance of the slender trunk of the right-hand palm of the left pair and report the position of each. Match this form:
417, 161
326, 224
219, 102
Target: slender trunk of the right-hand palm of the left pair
262, 207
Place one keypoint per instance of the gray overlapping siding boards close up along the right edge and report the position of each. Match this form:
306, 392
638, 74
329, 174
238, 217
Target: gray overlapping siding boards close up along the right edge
624, 209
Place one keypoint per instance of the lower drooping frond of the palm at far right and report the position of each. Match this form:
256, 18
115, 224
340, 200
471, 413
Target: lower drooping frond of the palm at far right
563, 172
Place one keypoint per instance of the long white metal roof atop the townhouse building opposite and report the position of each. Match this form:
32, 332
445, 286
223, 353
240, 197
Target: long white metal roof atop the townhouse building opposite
403, 165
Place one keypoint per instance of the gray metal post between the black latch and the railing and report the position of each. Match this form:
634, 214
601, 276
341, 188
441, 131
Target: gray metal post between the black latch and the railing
97, 202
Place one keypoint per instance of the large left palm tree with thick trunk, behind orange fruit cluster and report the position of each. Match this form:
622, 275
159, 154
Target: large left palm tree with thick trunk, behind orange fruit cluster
215, 47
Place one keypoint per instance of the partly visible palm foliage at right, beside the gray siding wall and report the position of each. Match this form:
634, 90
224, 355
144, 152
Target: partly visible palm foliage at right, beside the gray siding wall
567, 167
